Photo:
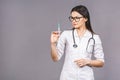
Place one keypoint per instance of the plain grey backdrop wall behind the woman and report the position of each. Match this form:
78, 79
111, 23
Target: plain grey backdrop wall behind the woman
25, 27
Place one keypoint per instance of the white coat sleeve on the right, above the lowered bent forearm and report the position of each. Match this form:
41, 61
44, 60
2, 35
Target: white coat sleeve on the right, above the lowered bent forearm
98, 49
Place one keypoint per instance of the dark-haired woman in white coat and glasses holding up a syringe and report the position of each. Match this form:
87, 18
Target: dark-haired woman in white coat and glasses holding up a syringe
78, 44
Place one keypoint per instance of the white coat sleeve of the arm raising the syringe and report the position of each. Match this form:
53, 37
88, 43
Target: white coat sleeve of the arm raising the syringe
61, 45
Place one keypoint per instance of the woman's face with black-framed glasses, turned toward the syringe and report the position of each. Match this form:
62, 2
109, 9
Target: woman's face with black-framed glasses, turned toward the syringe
77, 20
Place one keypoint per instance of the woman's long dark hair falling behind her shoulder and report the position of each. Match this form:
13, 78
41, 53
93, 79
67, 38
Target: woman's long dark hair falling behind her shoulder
84, 12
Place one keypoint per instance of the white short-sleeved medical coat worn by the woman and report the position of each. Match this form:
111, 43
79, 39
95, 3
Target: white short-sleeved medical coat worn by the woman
70, 70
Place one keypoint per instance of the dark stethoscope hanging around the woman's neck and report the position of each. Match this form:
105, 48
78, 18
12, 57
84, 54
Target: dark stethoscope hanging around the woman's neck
75, 45
